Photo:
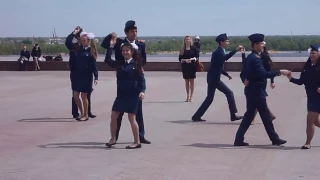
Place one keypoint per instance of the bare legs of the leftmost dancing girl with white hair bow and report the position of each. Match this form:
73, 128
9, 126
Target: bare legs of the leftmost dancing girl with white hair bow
82, 104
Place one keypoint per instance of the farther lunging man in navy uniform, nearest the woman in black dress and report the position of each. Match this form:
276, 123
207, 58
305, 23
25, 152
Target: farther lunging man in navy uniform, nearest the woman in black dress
218, 58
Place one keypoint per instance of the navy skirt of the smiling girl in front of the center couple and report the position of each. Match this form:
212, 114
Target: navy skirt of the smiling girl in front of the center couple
127, 104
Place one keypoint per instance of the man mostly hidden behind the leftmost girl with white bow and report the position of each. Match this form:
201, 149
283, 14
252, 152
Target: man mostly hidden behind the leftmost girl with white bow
75, 35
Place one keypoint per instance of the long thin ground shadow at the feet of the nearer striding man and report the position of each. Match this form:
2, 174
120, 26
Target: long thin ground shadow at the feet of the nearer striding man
231, 146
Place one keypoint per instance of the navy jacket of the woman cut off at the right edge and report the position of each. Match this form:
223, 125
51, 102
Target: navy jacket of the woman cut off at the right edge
310, 77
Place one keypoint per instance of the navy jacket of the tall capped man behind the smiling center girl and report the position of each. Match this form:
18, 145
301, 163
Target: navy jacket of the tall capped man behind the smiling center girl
117, 48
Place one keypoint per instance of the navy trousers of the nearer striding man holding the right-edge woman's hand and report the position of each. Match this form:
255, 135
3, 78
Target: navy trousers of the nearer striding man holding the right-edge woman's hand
256, 100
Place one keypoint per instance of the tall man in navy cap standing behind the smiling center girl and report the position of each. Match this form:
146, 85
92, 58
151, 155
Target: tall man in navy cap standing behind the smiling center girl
131, 34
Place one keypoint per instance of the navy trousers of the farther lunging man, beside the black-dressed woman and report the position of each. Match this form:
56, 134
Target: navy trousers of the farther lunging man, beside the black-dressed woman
210, 96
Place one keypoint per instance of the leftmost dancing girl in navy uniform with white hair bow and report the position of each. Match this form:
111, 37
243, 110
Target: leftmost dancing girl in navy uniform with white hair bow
85, 68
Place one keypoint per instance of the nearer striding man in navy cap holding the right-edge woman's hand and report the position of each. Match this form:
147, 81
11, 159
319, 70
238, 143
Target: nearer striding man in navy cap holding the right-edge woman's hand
253, 75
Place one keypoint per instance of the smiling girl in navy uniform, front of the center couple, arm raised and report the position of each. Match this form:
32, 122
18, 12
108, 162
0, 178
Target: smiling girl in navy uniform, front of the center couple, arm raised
130, 89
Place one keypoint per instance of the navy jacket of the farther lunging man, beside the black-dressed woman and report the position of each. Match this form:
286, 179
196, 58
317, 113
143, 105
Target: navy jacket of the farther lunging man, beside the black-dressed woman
218, 58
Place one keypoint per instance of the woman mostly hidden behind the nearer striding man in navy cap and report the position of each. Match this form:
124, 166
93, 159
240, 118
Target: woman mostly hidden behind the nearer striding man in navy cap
267, 64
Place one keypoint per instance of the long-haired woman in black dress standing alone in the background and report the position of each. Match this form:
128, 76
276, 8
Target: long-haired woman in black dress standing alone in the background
188, 57
